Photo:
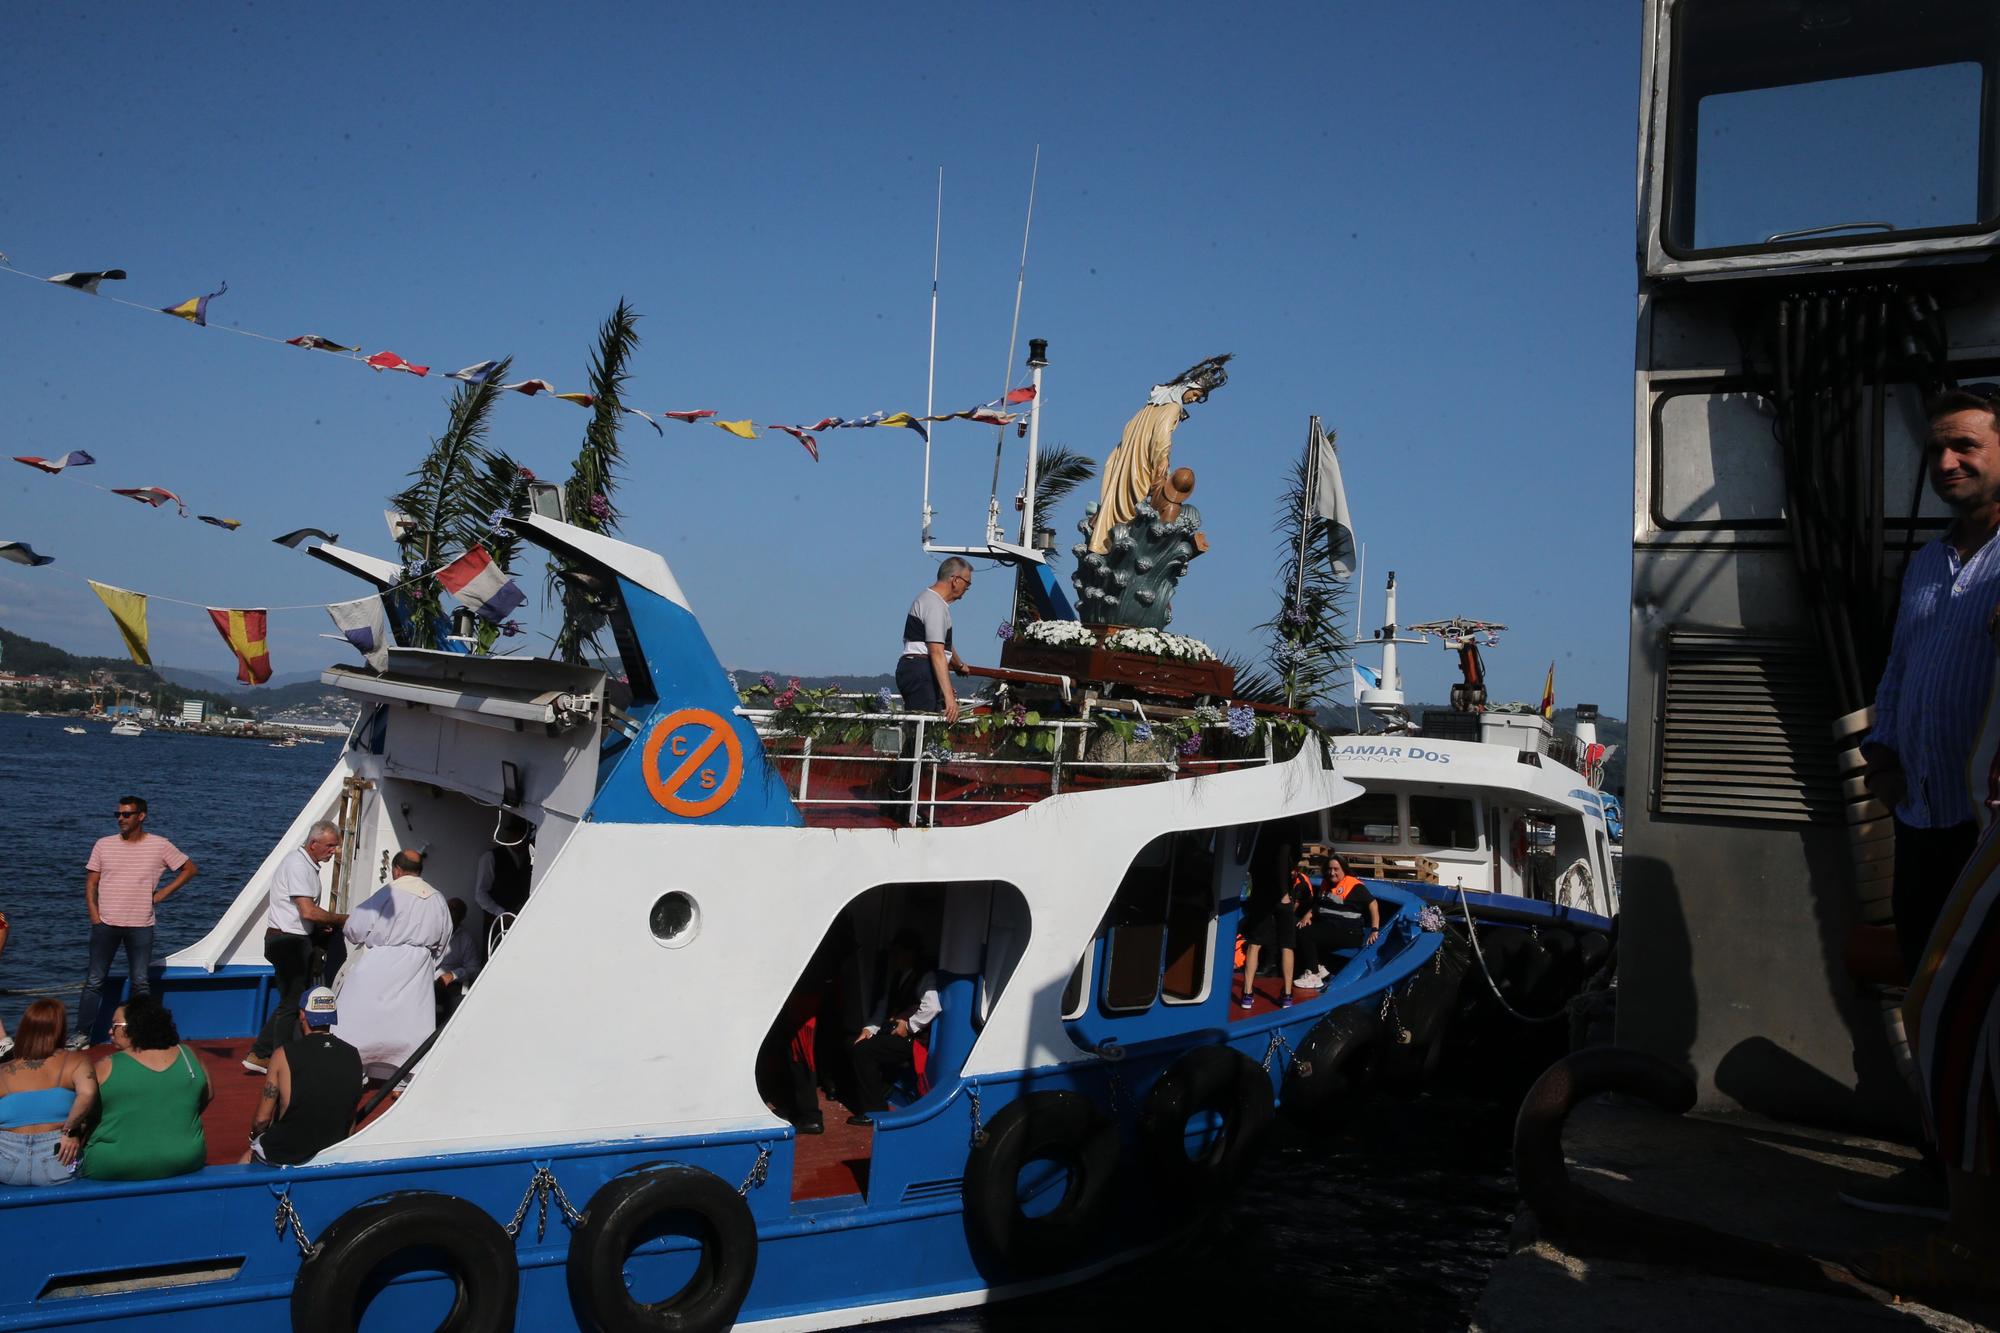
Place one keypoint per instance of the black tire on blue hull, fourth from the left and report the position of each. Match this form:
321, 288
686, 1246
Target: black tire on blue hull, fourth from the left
1207, 1080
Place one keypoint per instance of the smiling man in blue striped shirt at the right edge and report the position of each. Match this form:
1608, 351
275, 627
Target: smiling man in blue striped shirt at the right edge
1941, 668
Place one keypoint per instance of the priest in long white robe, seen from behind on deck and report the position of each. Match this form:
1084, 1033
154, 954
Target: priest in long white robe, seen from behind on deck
387, 1000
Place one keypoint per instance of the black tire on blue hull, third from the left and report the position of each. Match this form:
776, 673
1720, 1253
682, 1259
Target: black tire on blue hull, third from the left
1059, 1128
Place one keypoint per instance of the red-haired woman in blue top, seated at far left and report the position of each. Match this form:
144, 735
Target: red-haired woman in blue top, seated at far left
45, 1096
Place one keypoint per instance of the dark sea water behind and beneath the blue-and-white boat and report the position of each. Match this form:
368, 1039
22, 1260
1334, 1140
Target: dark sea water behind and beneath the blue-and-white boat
1391, 1222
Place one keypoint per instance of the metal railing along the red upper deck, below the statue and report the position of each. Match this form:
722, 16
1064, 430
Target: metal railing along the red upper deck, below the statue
909, 746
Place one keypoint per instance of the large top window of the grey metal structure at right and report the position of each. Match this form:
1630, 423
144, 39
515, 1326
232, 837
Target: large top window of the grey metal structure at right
1855, 121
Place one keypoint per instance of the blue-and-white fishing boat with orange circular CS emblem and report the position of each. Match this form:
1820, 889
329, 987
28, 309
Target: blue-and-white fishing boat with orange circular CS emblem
595, 1136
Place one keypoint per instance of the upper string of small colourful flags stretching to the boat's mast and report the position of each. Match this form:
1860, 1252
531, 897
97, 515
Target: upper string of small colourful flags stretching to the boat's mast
195, 311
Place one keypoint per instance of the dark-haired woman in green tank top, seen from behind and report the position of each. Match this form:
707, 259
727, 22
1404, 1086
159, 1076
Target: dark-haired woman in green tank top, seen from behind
151, 1096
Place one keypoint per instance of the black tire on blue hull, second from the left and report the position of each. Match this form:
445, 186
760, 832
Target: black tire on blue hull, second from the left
627, 1212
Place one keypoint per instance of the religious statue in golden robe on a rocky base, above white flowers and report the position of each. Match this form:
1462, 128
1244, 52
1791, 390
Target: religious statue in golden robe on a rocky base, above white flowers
1143, 531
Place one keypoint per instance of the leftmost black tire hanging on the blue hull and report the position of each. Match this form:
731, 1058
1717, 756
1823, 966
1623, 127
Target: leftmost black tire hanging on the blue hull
409, 1232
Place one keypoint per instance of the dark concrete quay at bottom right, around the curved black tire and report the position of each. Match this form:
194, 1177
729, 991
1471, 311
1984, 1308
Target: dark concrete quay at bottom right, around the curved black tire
1767, 1184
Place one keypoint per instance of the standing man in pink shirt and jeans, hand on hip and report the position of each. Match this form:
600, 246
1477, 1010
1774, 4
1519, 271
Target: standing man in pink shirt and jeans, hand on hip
123, 888
